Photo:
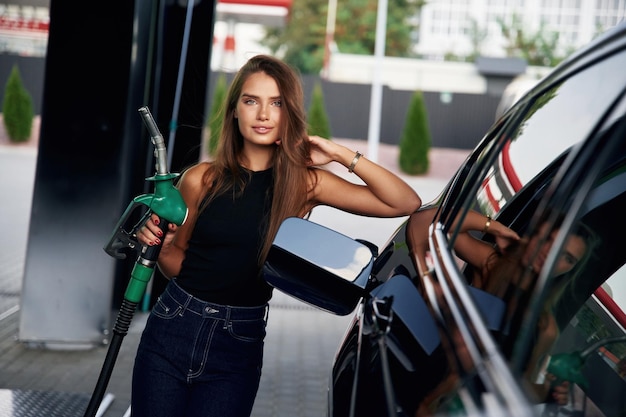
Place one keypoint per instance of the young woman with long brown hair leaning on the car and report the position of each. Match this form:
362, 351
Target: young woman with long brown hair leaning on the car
201, 351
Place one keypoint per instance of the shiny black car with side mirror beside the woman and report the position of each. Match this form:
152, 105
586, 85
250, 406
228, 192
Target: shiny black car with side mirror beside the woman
427, 338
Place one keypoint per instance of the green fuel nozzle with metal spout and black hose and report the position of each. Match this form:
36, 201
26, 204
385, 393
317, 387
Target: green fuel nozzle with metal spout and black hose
168, 204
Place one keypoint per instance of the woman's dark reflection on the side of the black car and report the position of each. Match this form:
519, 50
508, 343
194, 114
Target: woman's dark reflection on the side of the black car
509, 270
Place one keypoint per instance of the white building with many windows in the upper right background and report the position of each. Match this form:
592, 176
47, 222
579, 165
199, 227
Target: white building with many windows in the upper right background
446, 25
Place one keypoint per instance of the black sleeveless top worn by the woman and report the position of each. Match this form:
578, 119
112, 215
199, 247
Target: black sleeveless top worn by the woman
221, 262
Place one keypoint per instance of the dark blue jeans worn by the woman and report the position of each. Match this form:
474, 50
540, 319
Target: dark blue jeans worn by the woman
197, 358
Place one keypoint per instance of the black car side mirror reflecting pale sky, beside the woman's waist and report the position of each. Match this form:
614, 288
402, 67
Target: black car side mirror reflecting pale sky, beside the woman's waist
318, 266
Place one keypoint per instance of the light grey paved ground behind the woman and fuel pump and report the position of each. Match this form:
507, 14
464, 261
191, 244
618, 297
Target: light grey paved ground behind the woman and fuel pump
300, 344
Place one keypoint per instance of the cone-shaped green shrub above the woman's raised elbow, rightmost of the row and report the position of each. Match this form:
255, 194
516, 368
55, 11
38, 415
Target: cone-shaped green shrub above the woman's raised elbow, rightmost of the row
415, 140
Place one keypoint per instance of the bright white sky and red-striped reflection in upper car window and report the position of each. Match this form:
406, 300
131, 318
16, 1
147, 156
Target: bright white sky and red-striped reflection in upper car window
568, 113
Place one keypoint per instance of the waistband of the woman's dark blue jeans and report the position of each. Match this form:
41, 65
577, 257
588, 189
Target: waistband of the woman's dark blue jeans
206, 309
